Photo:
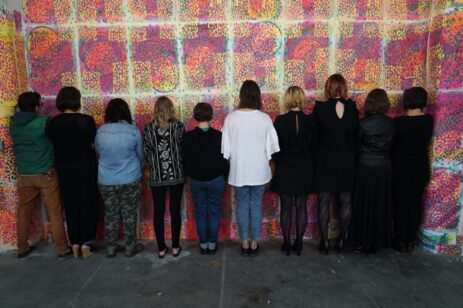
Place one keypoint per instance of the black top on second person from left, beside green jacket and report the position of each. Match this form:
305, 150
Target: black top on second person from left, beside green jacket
73, 135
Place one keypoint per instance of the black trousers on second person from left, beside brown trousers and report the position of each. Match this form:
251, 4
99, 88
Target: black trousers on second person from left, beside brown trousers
79, 195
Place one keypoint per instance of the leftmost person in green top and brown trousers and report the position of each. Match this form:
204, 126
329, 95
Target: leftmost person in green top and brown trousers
36, 175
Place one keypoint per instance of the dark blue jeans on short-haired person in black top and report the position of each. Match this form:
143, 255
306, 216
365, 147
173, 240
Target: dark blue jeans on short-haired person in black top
207, 196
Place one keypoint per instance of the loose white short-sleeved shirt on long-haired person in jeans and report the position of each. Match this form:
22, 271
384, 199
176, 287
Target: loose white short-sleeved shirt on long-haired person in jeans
248, 141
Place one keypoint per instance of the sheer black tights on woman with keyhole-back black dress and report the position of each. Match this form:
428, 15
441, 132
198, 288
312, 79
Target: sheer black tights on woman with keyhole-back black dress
345, 212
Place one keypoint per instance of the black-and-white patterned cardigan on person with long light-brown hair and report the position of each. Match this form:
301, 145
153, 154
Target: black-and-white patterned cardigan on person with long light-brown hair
163, 153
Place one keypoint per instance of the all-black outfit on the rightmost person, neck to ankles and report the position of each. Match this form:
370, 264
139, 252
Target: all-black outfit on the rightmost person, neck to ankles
411, 173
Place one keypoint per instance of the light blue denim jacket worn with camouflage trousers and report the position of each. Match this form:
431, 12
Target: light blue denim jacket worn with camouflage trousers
120, 153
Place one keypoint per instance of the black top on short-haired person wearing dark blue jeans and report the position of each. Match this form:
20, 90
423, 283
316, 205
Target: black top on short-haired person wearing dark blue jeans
203, 160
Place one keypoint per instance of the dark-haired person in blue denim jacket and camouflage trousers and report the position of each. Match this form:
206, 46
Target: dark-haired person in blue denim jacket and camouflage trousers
120, 158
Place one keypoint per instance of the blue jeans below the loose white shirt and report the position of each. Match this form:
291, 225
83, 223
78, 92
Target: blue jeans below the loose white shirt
249, 210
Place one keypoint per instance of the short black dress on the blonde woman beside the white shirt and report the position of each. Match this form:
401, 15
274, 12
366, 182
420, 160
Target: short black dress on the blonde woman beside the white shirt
294, 163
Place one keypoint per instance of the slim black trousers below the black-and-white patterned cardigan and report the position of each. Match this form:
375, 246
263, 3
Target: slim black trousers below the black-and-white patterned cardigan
175, 205
